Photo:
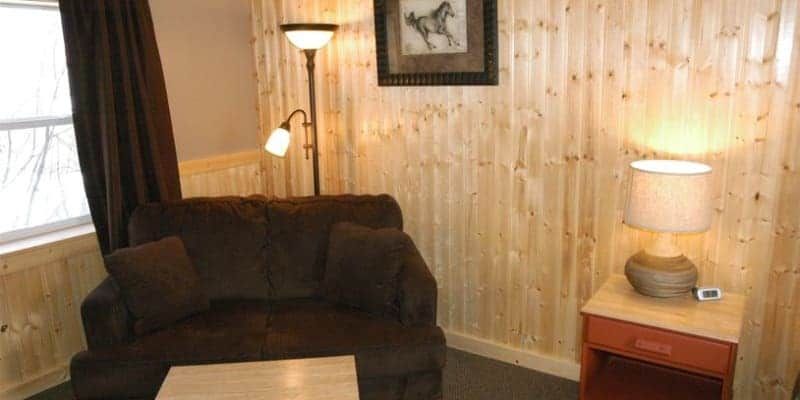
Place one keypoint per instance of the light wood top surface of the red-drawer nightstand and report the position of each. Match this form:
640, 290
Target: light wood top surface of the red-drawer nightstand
717, 319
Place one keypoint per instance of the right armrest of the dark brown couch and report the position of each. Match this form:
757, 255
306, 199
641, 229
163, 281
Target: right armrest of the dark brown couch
417, 290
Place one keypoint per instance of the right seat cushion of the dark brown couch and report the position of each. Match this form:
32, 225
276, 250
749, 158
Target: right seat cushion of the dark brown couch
382, 347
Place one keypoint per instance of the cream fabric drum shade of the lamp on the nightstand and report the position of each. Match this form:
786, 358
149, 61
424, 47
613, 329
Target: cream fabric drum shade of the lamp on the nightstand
669, 196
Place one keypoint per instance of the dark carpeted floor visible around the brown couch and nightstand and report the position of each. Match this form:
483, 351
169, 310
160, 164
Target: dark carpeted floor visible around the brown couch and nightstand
466, 377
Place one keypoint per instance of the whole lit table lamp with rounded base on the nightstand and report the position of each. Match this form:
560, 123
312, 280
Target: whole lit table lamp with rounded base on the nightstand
667, 197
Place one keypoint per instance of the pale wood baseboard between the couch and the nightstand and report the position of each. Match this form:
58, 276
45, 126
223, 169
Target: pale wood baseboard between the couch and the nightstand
527, 359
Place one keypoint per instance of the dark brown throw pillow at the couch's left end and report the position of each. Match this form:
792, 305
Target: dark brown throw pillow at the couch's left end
158, 283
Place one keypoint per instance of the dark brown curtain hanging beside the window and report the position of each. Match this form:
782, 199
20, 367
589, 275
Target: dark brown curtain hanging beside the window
120, 111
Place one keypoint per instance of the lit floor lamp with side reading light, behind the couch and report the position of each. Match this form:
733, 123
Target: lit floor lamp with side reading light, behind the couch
309, 38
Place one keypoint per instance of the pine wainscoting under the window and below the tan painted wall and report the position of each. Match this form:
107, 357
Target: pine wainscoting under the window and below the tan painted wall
42, 287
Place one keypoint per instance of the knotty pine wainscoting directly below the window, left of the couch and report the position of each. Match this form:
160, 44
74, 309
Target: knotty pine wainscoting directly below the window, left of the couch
41, 290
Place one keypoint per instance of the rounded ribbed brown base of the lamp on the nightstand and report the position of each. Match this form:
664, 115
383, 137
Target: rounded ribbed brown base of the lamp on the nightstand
660, 276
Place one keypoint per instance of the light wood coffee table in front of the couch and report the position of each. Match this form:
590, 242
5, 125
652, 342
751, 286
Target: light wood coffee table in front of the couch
302, 379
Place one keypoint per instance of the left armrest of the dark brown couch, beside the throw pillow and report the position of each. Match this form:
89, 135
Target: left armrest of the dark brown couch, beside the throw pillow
105, 317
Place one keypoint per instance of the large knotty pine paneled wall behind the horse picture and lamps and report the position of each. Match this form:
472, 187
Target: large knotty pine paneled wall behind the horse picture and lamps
515, 193
